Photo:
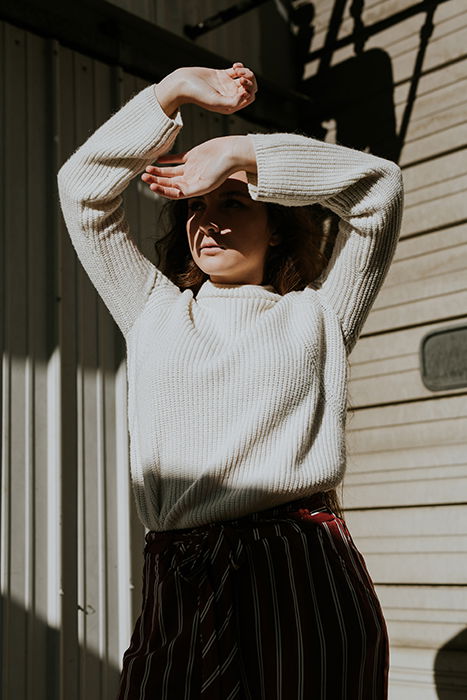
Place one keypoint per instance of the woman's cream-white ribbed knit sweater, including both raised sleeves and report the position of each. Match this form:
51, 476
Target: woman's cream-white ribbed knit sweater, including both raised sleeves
237, 398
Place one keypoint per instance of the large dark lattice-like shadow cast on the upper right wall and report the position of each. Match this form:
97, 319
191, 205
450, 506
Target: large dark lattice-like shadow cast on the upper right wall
356, 94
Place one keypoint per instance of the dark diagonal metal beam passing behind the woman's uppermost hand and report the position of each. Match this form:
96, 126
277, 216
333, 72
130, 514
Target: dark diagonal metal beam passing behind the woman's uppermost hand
103, 31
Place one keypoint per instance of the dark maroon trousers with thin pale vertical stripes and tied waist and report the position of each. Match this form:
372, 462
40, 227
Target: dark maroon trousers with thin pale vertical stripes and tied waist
276, 605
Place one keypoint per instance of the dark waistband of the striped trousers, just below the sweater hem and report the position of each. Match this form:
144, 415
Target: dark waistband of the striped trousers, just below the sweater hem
307, 505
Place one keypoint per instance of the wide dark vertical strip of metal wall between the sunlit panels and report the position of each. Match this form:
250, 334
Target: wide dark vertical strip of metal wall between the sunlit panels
68, 406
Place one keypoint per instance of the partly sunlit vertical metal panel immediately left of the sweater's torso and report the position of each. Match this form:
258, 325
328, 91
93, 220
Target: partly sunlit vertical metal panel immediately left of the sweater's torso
111, 362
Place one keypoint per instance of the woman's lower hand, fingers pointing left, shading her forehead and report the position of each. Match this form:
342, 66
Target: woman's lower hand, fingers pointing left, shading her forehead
201, 169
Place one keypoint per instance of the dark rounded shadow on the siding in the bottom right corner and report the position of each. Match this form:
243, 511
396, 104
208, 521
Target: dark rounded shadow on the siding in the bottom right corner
450, 668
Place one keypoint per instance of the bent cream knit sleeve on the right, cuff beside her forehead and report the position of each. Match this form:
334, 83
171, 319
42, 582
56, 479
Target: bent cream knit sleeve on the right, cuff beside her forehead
365, 191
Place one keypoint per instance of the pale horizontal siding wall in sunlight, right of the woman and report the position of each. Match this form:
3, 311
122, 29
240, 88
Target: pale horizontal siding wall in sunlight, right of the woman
405, 491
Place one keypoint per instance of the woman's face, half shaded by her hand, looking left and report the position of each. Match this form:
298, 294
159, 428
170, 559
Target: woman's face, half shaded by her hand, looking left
237, 225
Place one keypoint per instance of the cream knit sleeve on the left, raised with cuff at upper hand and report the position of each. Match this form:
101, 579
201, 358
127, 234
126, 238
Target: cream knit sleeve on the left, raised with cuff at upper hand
90, 185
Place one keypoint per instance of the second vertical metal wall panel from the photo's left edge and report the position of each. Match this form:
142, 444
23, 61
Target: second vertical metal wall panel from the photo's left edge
39, 265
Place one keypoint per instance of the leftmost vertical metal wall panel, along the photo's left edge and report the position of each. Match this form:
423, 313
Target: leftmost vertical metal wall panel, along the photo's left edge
16, 376
